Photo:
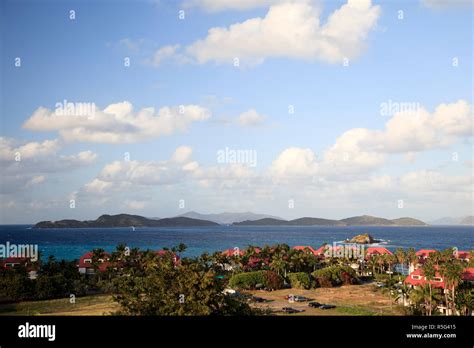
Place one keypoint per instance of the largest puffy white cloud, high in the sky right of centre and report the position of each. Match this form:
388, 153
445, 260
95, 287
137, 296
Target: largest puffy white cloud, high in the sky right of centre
290, 29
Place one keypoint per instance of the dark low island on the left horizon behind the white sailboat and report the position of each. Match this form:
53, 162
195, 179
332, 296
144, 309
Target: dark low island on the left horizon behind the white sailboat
126, 220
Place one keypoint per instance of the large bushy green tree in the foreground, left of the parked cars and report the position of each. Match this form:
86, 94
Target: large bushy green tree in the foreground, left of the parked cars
163, 288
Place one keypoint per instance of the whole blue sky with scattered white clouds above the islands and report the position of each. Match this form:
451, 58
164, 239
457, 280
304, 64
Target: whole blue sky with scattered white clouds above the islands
291, 108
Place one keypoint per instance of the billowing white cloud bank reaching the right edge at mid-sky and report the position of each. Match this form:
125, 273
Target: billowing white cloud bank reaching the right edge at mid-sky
360, 149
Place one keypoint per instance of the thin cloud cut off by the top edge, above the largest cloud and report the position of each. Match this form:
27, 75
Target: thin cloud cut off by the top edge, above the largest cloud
223, 5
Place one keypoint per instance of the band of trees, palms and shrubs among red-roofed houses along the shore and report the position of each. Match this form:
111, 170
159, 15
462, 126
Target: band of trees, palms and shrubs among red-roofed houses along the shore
147, 282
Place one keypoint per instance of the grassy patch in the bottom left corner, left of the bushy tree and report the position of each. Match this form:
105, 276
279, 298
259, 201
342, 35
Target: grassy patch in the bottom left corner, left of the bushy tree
88, 305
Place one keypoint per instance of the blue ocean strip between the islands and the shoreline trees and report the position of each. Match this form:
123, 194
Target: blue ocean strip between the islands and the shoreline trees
70, 244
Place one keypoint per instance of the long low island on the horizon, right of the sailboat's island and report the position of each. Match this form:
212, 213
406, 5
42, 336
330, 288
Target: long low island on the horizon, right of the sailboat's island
364, 220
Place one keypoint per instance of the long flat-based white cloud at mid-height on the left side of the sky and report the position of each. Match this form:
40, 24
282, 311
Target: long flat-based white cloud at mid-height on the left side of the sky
118, 123
